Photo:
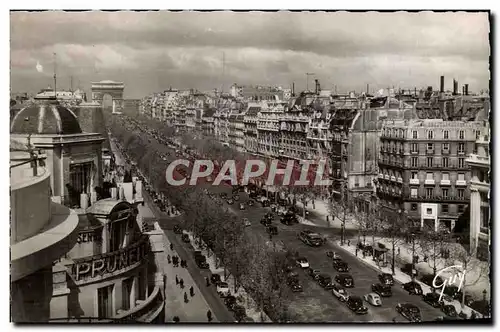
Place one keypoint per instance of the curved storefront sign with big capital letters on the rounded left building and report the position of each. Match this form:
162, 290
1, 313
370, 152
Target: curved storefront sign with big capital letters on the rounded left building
100, 265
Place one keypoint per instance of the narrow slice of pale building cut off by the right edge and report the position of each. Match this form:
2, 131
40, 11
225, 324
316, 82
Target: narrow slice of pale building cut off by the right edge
479, 162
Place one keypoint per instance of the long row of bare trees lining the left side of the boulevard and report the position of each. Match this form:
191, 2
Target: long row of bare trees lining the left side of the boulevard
252, 262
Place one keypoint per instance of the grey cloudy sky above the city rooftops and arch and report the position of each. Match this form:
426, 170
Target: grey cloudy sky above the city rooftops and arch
151, 51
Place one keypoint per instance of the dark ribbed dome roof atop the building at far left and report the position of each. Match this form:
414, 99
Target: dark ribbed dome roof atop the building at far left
45, 117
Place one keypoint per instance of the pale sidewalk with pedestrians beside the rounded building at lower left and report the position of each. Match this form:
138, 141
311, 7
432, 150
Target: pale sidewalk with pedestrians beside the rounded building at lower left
193, 311
